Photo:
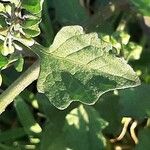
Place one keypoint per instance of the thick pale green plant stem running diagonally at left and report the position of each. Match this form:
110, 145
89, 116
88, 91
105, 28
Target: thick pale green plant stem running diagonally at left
30, 75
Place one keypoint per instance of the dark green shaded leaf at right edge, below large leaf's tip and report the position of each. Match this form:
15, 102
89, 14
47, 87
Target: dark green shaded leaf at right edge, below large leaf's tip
135, 102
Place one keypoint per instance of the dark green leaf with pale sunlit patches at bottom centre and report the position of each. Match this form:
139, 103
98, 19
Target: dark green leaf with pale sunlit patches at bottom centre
83, 129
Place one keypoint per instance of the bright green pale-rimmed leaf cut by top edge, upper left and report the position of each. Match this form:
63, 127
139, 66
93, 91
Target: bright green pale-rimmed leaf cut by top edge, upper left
34, 6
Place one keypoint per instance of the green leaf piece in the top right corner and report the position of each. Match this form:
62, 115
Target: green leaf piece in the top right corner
143, 6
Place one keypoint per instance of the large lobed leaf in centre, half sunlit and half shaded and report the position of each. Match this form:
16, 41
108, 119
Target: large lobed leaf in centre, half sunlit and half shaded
79, 67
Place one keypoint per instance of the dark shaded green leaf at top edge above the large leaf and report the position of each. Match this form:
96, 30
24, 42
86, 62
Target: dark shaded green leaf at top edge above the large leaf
70, 12
